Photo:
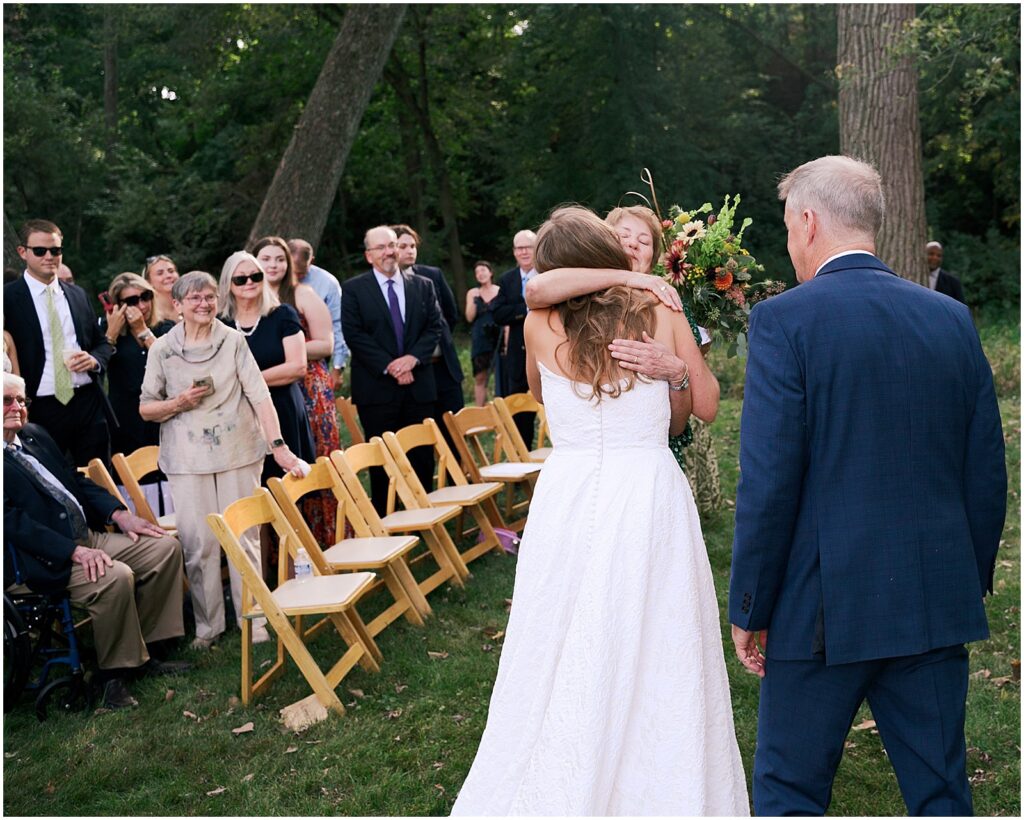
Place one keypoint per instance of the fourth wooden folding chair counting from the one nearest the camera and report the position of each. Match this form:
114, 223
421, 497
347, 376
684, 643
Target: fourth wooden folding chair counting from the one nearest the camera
478, 499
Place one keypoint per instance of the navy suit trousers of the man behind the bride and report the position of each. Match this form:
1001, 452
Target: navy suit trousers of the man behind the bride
806, 711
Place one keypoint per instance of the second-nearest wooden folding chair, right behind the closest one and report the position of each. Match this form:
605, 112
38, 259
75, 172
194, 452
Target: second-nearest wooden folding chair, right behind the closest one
388, 555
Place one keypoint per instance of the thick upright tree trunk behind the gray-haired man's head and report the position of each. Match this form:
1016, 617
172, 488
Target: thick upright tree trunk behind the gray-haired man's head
879, 123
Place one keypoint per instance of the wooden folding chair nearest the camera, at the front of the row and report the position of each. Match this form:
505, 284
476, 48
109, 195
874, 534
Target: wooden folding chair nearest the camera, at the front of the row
333, 596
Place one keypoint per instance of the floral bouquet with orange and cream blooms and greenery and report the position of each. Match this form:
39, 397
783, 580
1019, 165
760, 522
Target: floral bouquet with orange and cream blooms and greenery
706, 262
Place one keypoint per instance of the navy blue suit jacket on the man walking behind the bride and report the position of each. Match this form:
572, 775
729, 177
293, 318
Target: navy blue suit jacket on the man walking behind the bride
873, 476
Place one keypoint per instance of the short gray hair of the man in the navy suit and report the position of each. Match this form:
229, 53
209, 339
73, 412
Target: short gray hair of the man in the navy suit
846, 194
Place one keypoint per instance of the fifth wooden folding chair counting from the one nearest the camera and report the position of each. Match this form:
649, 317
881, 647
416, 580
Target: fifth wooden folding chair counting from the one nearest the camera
470, 427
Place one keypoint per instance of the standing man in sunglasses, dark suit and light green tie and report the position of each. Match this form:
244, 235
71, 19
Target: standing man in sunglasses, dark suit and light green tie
61, 349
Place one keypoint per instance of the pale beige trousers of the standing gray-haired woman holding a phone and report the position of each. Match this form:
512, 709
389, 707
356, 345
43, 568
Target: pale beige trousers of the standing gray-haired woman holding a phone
195, 498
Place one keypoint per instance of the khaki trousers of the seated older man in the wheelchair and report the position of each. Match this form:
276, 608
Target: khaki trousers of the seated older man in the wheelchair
139, 601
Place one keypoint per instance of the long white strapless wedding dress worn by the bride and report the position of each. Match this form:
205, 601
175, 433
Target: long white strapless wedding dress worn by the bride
612, 696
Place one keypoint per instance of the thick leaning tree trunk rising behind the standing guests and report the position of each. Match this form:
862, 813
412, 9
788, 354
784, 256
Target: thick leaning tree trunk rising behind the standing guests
305, 186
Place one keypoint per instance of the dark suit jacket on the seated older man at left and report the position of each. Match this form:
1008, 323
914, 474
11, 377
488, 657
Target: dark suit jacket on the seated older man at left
36, 525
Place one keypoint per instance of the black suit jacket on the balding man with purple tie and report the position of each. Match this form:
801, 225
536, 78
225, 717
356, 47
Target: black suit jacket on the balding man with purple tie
366, 322
